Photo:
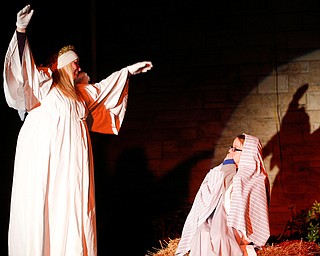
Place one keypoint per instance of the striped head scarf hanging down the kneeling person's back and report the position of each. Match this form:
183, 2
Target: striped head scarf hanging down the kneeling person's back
249, 211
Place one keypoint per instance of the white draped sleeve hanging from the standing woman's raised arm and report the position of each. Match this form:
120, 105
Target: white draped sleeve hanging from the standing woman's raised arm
24, 84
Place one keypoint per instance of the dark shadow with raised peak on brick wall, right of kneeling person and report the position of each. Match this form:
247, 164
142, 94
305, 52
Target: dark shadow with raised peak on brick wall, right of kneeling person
294, 151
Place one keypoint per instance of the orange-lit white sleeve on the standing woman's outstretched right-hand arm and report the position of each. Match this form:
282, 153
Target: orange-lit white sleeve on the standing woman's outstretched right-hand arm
107, 102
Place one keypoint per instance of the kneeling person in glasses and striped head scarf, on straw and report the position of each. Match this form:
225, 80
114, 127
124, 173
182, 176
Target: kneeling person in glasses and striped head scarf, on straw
230, 213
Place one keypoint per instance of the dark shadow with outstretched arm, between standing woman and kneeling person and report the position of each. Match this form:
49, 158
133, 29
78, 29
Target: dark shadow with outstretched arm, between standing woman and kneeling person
140, 210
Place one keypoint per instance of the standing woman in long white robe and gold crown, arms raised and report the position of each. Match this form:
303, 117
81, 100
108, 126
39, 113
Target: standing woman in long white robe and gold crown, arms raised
52, 209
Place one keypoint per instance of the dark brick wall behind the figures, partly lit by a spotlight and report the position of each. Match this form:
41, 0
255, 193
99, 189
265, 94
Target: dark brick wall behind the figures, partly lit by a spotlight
220, 69
